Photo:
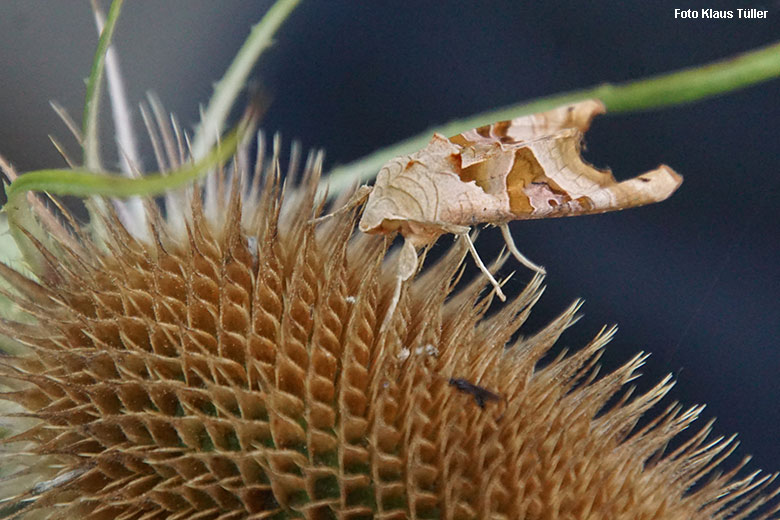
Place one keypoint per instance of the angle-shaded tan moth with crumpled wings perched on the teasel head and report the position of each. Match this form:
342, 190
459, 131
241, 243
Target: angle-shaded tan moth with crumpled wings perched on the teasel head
527, 168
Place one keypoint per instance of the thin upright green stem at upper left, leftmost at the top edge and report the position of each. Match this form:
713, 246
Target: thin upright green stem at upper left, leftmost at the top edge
92, 99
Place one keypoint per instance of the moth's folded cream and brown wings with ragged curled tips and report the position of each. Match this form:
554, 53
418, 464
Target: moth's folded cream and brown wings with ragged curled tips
534, 163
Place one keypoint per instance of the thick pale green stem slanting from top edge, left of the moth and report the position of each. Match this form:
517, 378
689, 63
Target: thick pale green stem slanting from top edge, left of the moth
228, 88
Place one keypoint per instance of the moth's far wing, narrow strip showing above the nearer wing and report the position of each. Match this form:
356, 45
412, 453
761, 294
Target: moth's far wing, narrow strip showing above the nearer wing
527, 128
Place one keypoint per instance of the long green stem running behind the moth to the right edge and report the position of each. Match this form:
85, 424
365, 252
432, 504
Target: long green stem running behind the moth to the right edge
670, 89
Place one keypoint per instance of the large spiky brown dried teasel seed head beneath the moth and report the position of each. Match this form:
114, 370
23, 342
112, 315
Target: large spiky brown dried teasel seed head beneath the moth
235, 369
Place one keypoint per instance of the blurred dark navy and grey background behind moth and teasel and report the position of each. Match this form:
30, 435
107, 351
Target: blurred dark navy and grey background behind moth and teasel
693, 280
